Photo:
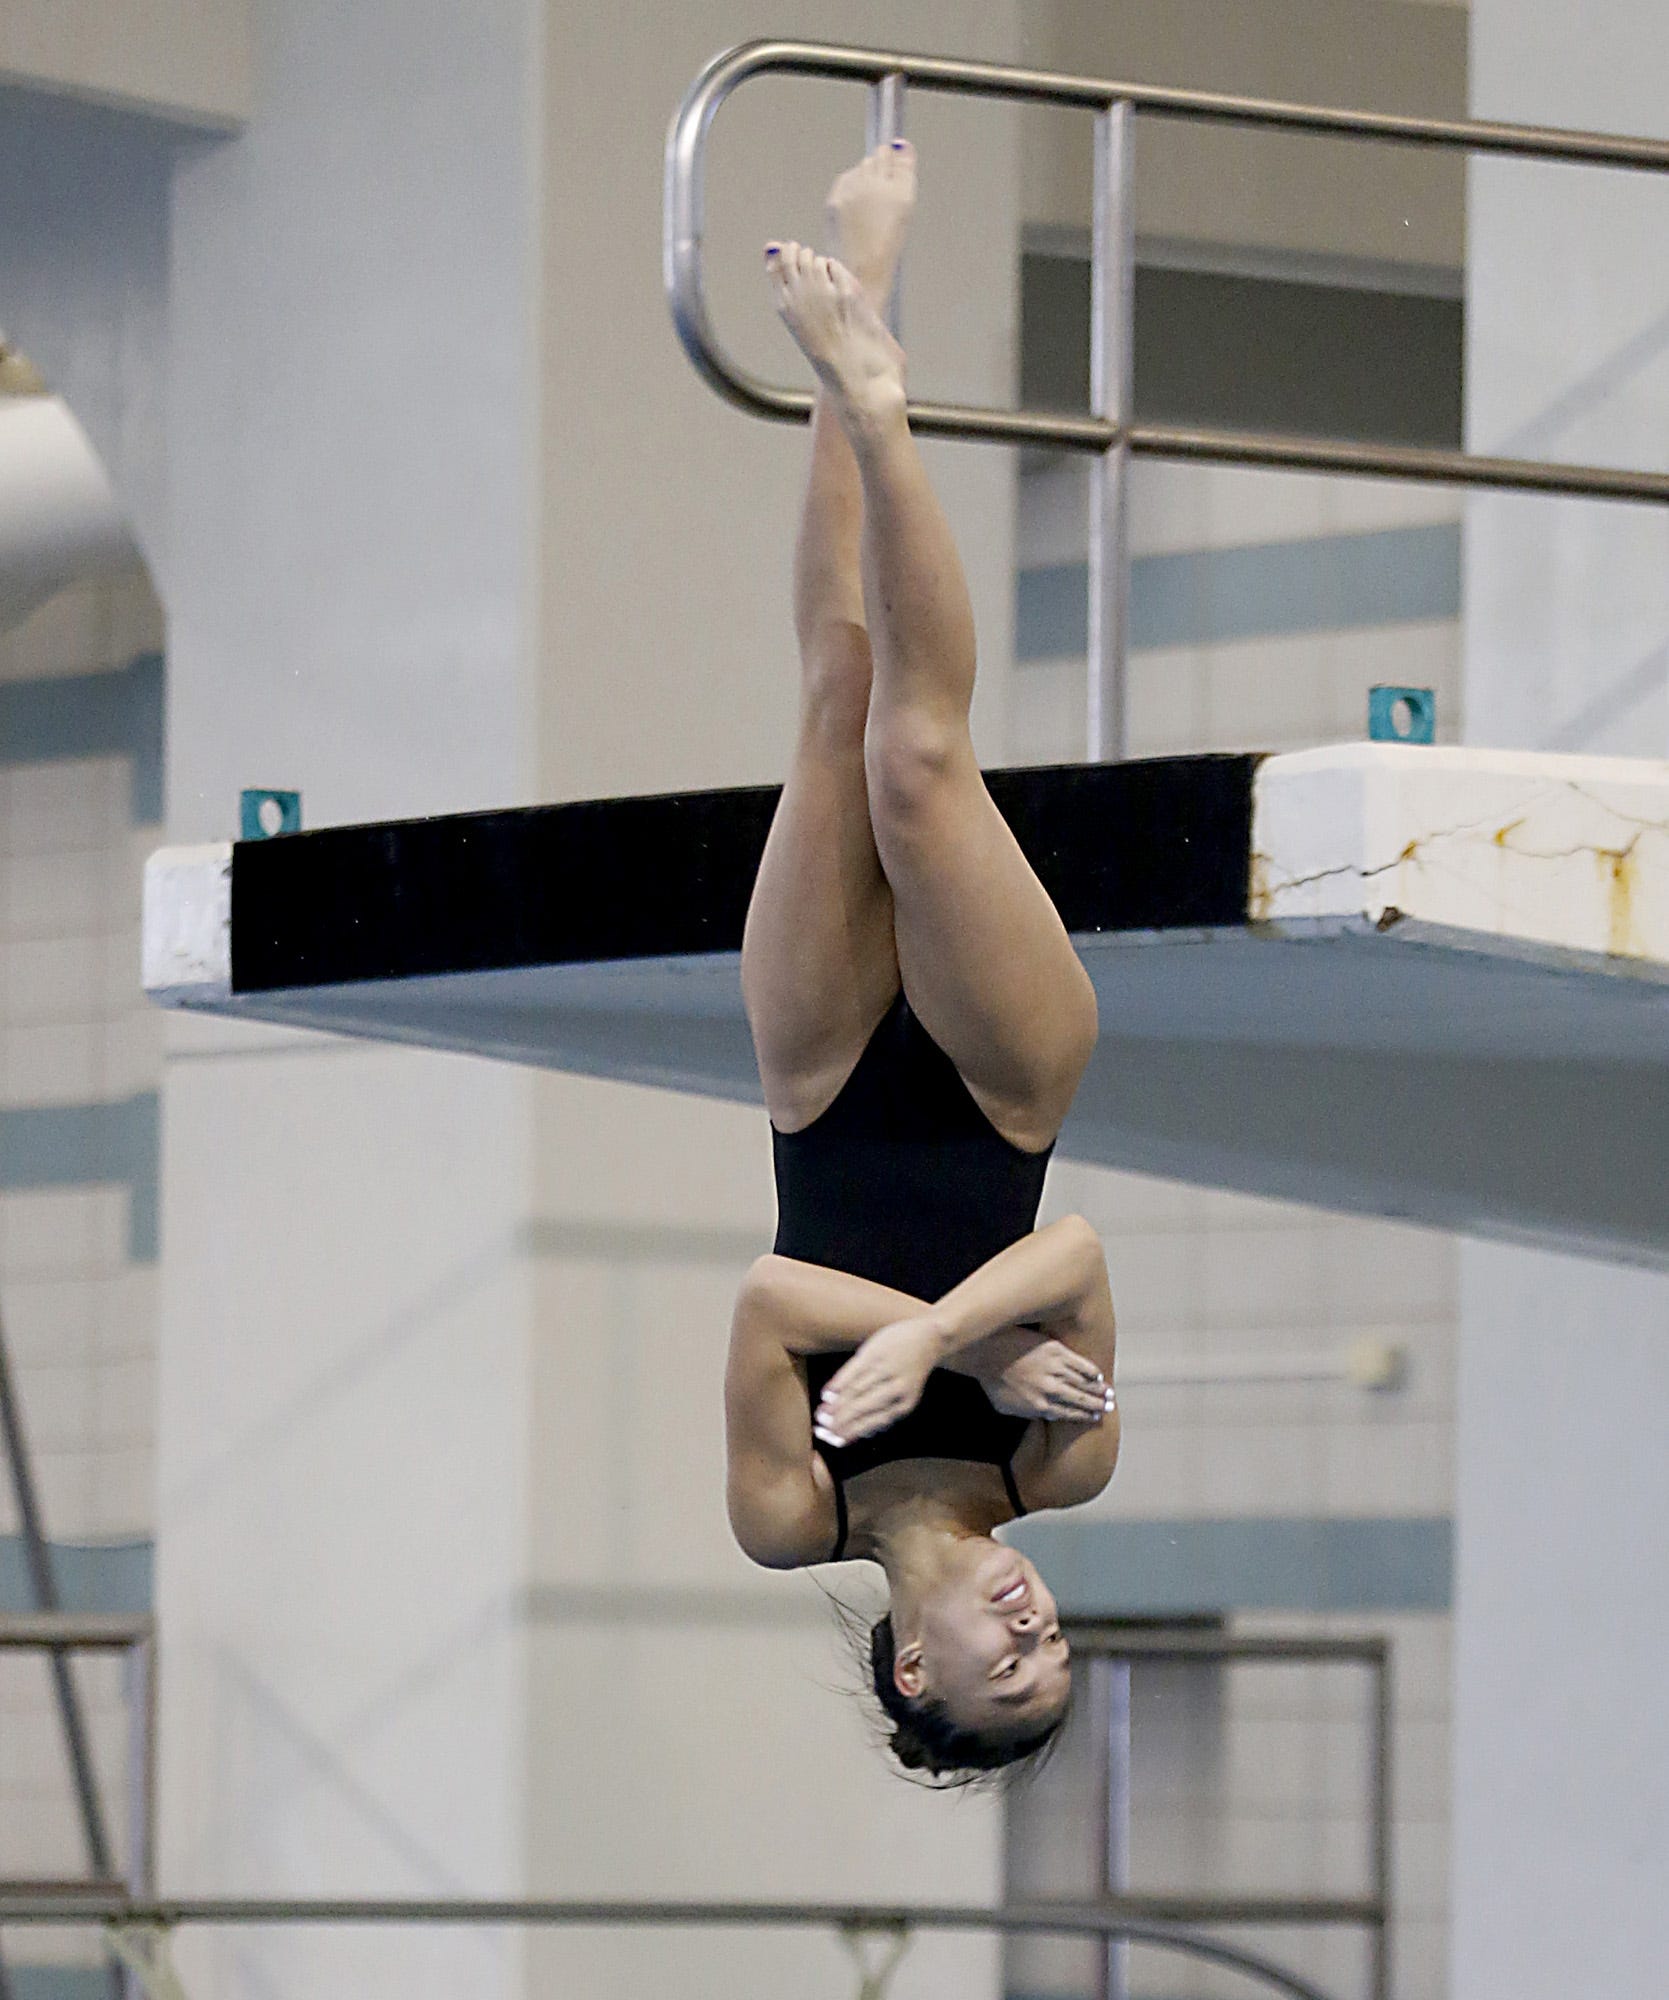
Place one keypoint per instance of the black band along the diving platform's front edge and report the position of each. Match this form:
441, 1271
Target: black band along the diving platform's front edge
1160, 845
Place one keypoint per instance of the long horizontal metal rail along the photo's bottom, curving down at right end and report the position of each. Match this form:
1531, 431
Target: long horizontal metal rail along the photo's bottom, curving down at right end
854, 1917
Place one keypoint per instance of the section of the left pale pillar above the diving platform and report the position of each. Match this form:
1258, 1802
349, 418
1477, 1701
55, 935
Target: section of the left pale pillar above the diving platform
351, 439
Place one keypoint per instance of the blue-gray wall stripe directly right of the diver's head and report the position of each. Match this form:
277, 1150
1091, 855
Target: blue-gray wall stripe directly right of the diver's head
1172, 1569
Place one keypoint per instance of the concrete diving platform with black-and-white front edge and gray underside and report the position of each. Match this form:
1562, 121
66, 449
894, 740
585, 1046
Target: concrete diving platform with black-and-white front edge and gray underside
1426, 983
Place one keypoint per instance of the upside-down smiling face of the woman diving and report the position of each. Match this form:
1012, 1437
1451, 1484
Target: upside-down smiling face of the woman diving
988, 1643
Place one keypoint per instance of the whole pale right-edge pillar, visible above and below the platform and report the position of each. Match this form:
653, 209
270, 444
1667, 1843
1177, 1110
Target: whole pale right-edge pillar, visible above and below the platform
1562, 1831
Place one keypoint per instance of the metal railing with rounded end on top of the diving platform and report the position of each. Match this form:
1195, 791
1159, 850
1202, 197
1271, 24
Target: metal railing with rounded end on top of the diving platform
1112, 429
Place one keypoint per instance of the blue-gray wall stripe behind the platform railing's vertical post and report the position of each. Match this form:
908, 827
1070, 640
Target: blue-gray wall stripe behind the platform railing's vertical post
1216, 597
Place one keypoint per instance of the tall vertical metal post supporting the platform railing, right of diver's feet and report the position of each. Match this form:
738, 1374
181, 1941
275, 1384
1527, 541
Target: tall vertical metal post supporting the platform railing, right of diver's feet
1112, 377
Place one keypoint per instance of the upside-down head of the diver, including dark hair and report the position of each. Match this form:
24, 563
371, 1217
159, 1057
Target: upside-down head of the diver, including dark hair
972, 1665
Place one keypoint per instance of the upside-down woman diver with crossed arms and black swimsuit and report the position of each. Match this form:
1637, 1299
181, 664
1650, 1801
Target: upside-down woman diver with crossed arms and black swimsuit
916, 1363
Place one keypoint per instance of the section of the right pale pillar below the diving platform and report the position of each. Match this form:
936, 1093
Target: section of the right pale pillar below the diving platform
1562, 1737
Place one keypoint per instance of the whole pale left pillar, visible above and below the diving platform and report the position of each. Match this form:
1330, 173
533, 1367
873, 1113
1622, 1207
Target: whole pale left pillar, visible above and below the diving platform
345, 1313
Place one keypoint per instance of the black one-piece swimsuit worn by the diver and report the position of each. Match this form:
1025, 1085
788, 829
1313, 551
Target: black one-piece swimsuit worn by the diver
908, 1183
